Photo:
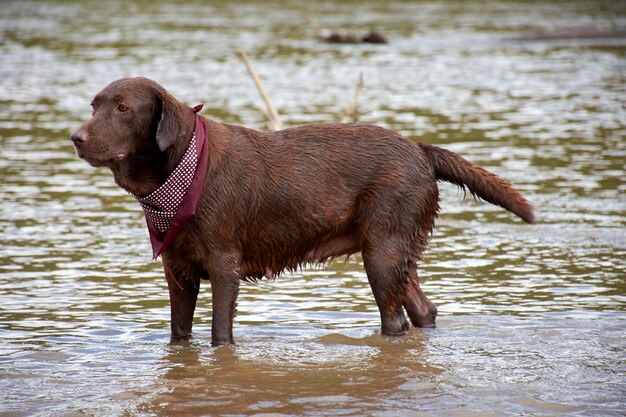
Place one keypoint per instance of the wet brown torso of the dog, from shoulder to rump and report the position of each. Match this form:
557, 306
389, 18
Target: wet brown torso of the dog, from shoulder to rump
315, 192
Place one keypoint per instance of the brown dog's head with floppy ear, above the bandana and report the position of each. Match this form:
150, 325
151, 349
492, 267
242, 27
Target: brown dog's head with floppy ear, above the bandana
132, 118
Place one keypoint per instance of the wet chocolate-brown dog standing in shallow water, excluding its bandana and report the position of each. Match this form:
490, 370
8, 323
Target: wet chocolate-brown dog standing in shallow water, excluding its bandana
275, 201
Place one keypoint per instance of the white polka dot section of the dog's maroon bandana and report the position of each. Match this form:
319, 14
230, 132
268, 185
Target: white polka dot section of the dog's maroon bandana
161, 205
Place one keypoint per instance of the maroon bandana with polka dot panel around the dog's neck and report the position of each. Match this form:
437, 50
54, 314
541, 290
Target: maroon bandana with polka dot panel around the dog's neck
169, 207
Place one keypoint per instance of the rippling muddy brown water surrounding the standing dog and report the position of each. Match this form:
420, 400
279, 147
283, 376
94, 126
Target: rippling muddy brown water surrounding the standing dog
532, 318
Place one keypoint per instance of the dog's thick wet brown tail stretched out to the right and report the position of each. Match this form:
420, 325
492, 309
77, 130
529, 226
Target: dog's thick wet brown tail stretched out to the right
454, 168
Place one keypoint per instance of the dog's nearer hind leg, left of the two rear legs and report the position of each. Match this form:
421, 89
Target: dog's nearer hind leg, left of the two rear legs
386, 277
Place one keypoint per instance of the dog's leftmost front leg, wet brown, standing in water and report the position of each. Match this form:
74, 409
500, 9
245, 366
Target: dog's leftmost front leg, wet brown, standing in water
183, 295
